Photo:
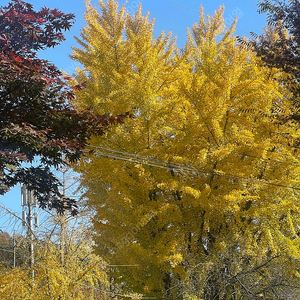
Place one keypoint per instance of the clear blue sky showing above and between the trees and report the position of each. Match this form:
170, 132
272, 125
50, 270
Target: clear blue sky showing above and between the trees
174, 16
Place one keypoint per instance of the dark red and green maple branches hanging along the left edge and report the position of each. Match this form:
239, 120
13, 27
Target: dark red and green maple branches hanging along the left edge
38, 124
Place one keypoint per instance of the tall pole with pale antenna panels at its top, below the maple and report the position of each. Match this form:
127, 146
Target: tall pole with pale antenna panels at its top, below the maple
30, 218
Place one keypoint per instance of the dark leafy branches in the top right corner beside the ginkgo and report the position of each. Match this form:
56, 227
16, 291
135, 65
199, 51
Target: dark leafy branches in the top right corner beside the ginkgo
281, 48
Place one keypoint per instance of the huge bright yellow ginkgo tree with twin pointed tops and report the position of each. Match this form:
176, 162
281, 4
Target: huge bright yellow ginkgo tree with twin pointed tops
206, 165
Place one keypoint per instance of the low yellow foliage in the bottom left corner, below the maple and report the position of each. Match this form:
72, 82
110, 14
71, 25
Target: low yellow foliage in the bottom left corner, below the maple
80, 275
